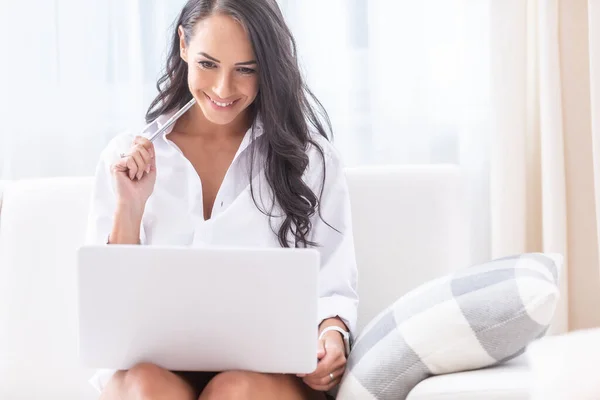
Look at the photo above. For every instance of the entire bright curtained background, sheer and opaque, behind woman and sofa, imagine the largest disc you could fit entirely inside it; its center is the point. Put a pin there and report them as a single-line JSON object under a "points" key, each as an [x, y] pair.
{"points": [[504, 88]]}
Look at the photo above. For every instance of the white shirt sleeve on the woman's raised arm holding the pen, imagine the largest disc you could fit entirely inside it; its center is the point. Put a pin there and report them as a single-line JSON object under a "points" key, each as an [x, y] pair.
{"points": [[103, 196]]}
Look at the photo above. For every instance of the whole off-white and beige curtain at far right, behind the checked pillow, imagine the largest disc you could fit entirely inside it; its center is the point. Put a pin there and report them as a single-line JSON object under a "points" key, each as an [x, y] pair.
{"points": [[545, 160]]}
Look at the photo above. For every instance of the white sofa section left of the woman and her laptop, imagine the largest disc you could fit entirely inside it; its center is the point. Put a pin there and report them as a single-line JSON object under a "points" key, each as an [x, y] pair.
{"points": [[43, 223]]}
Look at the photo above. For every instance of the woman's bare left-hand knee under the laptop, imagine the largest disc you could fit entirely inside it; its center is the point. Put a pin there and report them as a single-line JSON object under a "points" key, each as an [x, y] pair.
{"points": [[147, 382]]}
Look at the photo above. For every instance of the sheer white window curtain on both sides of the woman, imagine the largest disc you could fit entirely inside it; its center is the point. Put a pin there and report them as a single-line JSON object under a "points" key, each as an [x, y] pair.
{"points": [[404, 81]]}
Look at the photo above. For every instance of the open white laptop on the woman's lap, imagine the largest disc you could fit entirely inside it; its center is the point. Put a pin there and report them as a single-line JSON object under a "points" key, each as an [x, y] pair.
{"points": [[191, 309]]}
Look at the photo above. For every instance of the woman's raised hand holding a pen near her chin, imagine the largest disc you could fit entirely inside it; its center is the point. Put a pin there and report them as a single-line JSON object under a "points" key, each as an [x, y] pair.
{"points": [[135, 175]]}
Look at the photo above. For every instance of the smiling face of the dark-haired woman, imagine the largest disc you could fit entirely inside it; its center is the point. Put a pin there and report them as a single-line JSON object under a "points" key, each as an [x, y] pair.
{"points": [[222, 67]]}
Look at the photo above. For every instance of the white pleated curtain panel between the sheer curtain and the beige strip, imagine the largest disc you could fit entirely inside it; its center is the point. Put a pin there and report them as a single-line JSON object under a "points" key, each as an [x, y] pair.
{"points": [[527, 158]]}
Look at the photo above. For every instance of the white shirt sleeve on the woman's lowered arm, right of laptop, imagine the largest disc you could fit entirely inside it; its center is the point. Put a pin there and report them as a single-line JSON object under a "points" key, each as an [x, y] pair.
{"points": [[332, 231]]}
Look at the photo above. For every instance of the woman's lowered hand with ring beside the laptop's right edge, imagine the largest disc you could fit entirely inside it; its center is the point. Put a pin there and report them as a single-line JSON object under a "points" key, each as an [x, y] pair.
{"points": [[332, 363]]}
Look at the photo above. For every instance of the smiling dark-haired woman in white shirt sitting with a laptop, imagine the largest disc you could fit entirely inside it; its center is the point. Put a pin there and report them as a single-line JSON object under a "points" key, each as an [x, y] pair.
{"points": [[248, 165]]}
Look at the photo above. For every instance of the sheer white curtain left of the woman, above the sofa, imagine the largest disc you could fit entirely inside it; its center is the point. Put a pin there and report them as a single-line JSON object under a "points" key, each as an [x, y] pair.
{"points": [[74, 73]]}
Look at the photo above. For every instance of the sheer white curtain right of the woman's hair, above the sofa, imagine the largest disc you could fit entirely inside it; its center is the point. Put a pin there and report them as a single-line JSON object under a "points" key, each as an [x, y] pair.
{"points": [[405, 82]]}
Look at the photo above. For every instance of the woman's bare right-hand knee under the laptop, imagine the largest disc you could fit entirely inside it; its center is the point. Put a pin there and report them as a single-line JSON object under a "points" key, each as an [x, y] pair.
{"points": [[239, 385]]}
